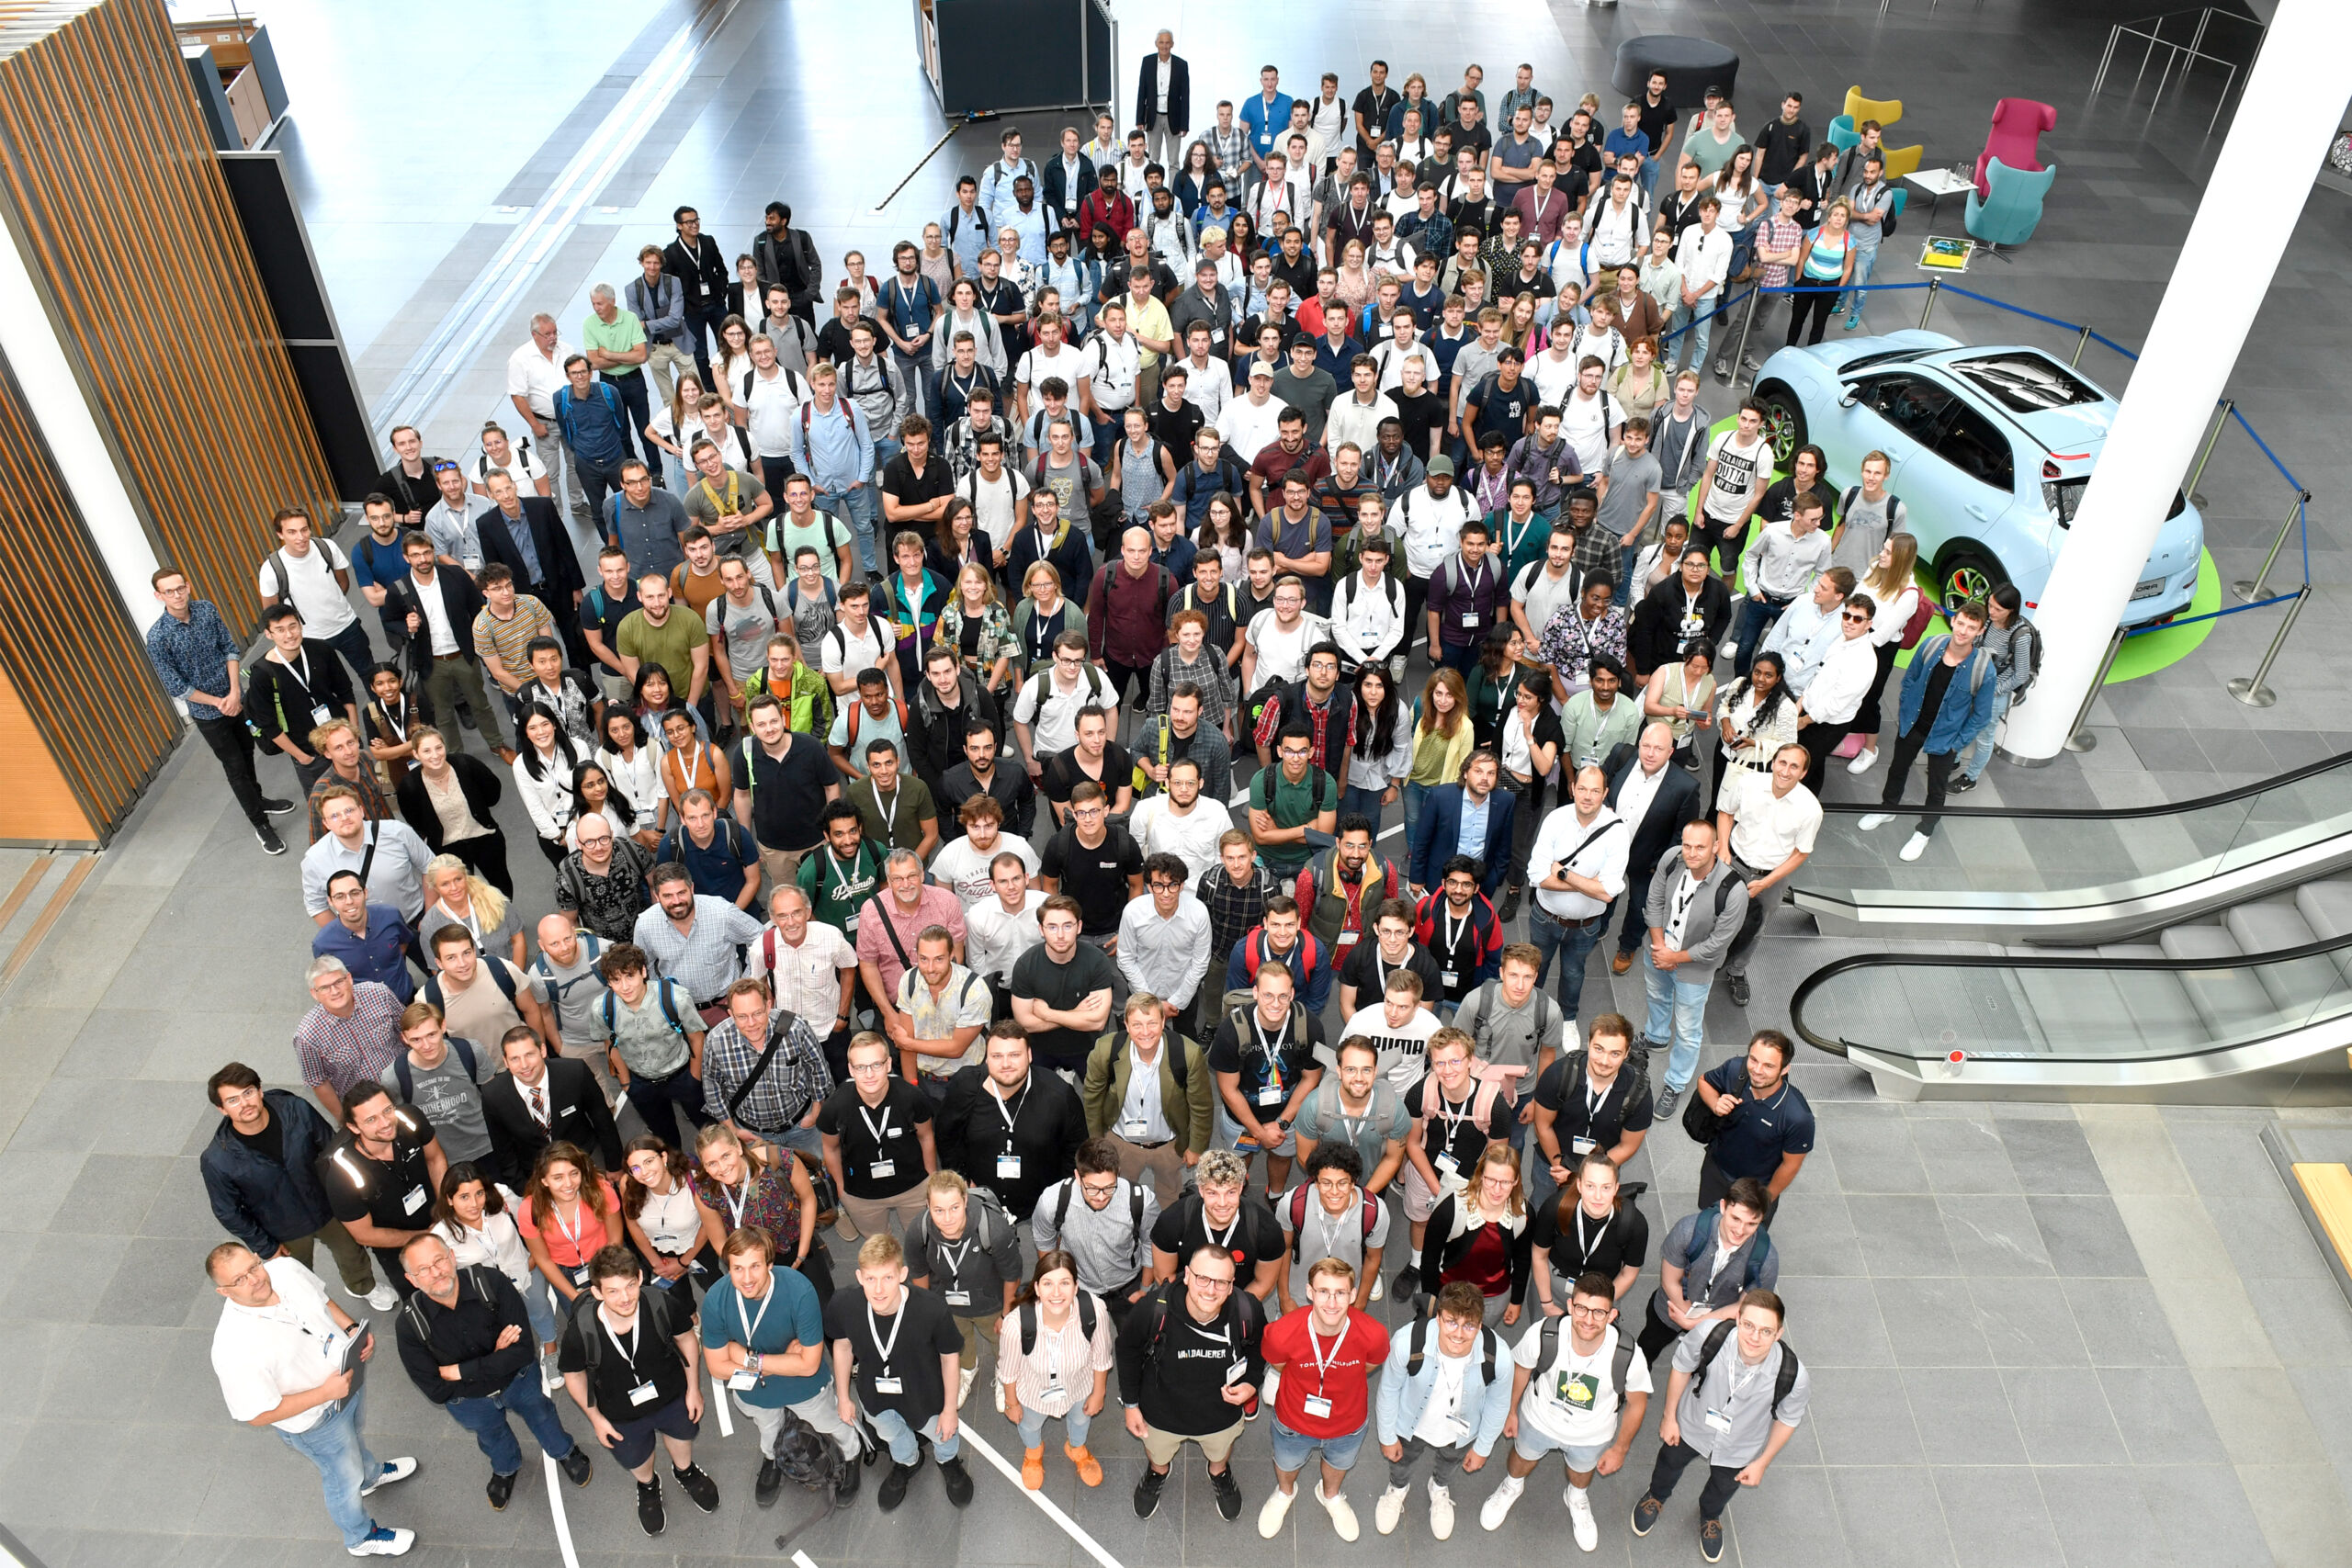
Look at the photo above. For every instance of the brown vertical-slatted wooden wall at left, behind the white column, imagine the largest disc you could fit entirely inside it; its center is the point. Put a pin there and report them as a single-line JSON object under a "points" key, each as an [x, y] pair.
{"points": [[131, 234]]}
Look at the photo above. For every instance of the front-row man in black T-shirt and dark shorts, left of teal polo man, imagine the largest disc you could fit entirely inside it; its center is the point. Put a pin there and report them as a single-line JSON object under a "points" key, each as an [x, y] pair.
{"points": [[629, 1362]]}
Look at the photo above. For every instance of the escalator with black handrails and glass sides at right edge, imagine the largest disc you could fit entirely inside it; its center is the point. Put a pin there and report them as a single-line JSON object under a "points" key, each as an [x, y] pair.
{"points": [[2196, 953]]}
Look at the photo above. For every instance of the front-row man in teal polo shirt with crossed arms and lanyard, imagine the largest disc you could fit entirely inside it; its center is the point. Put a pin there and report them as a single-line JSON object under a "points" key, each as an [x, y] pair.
{"points": [[766, 1339]]}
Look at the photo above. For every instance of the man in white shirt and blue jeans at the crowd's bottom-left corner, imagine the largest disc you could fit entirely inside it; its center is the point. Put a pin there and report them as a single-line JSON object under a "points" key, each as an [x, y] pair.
{"points": [[279, 1353]]}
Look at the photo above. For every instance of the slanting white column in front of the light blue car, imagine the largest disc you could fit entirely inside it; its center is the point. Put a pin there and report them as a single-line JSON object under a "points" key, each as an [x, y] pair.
{"points": [[2294, 100]]}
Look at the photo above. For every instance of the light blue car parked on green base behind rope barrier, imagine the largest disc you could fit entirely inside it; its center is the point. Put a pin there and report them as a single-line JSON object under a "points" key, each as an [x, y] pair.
{"points": [[1991, 455]]}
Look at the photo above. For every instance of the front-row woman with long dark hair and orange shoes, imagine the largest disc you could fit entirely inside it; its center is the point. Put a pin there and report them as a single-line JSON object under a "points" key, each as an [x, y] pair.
{"points": [[1045, 1369]]}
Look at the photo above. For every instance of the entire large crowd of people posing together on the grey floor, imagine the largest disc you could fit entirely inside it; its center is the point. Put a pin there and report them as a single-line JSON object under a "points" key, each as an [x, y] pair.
{"points": [[1031, 730]]}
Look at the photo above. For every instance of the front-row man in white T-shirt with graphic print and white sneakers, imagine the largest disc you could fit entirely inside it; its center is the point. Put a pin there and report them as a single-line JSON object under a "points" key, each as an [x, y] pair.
{"points": [[1582, 1393]]}
